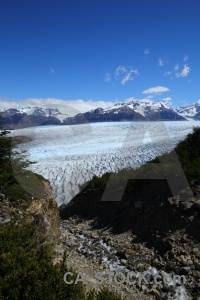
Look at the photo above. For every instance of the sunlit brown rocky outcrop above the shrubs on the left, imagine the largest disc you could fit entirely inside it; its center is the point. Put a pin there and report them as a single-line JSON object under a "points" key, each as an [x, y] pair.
{"points": [[42, 212]]}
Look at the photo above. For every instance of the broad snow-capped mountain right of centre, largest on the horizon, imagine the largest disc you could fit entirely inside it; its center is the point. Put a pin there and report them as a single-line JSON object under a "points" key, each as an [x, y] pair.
{"points": [[130, 111]]}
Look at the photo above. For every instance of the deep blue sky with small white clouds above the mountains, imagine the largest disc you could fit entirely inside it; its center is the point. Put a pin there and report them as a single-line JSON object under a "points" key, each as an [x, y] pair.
{"points": [[92, 53]]}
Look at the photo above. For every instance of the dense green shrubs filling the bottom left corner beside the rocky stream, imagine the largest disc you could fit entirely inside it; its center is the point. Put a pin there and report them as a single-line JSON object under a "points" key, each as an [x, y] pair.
{"points": [[27, 270]]}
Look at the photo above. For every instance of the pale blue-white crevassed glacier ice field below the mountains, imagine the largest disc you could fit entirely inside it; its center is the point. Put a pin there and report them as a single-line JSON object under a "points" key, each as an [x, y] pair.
{"points": [[68, 156]]}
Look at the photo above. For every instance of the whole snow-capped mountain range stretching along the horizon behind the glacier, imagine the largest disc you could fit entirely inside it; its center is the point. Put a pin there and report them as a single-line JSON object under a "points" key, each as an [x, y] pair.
{"points": [[13, 118]]}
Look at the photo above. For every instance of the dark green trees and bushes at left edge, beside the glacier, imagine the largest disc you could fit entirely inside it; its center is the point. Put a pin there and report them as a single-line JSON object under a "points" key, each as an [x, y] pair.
{"points": [[17, 183]]}
